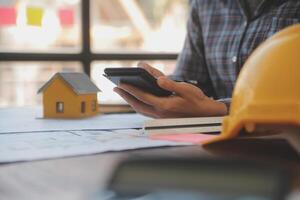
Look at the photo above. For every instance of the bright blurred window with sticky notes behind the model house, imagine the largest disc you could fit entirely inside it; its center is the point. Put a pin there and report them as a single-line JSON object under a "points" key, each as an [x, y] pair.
{"points": [[122, 32]]}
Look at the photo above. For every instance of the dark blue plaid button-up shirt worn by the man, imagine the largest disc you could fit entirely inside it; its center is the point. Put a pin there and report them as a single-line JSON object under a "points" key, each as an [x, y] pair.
{"points": [[223, 33]]}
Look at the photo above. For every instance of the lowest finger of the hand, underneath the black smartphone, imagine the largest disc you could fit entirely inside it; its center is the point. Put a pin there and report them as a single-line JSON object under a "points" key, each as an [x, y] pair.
{"points": [[137, 105]]}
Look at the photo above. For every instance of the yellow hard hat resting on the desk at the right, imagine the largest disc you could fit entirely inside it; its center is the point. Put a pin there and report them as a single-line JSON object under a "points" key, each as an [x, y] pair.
{"points": [[267, 91]]}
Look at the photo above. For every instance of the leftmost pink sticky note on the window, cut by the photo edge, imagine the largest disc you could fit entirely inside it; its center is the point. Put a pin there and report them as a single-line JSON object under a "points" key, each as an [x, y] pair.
{"points": [[8, 16]]}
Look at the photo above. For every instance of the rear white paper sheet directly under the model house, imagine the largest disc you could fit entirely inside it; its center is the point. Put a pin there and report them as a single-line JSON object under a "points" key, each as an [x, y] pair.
{"points": [[28, 119]]}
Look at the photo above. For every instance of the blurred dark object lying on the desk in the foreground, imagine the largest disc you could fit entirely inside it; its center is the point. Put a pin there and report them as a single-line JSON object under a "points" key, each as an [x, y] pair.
{"points": [[206, 178]]}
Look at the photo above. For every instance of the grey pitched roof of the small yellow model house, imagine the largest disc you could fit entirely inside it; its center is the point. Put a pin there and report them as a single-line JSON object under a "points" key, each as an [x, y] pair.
{"points": [[79, 82]]}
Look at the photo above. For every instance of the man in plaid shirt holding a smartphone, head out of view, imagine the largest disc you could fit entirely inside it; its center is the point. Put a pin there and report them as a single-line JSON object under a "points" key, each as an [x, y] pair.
{"points": [[220, 37]]}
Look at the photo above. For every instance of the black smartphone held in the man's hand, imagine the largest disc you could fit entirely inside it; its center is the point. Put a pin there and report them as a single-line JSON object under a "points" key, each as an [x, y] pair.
{"points": [[137, 77]]}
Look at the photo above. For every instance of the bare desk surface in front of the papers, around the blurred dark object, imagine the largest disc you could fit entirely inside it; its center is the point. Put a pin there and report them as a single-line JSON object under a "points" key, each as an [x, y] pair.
{"points": [[80, 177]]}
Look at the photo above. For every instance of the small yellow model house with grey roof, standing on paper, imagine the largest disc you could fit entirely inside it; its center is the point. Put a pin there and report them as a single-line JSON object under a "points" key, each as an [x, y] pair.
{"points": [[69, 95]]}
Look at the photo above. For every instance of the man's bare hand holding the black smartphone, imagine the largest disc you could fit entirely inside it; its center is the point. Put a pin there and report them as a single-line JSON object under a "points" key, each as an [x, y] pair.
{"points": [[187, 100]]}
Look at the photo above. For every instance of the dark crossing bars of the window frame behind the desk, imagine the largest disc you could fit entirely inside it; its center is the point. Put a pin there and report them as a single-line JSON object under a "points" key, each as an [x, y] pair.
{"points": [[86, 56]]}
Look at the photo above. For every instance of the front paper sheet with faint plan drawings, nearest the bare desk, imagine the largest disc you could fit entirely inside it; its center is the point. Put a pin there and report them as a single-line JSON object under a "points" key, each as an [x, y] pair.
{"points": [[46, 145]]}
